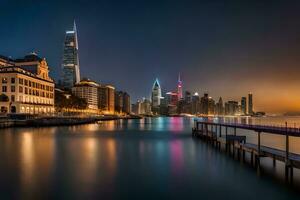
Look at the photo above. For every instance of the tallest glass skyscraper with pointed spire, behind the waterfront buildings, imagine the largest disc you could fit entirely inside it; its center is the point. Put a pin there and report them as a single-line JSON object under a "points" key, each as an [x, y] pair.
{"points": [[70, 63]]}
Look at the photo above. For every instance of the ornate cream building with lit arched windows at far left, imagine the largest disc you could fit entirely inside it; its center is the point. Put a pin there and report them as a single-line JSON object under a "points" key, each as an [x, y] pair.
{"points": [[25, 86]]}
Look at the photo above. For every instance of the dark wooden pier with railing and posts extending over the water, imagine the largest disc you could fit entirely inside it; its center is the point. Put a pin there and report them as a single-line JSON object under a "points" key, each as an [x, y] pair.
{"points": [[237, 144]]}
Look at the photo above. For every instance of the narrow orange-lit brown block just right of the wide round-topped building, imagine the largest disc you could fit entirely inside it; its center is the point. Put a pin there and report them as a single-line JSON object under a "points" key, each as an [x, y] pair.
{"points": [[106, 99]]}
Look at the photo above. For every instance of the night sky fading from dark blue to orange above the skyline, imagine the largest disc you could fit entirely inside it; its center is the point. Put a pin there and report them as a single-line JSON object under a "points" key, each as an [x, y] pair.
{"points": [[226, 48]]}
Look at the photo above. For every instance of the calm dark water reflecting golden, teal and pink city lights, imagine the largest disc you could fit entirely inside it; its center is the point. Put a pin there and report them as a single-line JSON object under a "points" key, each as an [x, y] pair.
{"points": [[131, 159]]}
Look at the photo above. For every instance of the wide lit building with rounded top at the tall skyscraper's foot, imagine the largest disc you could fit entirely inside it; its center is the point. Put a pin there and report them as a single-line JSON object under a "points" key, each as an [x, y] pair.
{"points": [[87, 90]]}
